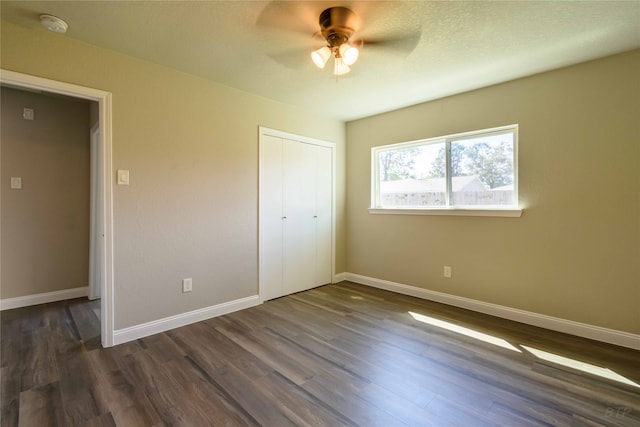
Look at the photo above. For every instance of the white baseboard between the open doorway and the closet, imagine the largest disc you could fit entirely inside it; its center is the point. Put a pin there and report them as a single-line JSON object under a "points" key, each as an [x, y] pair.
{"points": [[131, 333]]}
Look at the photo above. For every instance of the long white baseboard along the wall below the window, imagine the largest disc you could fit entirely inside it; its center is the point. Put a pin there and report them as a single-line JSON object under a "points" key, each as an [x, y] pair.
{"points": [[611, 336]]}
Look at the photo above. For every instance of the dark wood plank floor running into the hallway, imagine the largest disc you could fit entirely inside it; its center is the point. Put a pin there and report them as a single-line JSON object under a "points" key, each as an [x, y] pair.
{"points": [[337, 355]]}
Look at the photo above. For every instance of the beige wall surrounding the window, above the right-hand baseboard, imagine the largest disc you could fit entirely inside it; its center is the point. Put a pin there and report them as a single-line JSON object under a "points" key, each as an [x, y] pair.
{"points": [[575, 252]]}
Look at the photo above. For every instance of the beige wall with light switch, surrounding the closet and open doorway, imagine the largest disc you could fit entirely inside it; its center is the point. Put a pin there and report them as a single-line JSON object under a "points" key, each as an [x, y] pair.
{"points": [[191, 146]]}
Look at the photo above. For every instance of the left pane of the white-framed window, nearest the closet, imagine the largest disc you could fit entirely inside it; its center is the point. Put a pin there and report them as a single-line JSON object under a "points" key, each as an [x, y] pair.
{"points": [[412, 176]]}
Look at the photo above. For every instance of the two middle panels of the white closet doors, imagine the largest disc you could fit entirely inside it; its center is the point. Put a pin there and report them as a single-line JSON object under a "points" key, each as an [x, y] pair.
{"points": [[299, 249]]}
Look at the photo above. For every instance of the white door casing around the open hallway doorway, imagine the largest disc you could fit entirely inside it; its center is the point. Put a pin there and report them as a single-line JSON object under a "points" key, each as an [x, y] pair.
{"points": [[103, 98]]}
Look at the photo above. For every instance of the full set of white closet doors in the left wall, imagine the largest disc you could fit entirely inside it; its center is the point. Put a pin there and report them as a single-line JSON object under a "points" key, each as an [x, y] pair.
{"points": [[296, 214]]}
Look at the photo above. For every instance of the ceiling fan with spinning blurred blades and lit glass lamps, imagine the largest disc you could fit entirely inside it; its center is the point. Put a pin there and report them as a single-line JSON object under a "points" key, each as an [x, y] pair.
{"points": [[339, 28]]}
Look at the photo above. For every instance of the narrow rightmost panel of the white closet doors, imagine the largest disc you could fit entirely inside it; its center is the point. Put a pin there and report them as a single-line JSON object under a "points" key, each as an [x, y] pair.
{"points": [[324, 215]]}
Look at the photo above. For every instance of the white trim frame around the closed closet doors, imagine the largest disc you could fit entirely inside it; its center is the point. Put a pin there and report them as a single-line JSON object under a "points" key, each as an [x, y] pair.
{"points": [[262, 133]]}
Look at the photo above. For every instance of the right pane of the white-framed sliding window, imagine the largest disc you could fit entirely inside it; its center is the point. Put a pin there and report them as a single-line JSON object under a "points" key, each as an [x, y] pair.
{"points": [[482, 170]]}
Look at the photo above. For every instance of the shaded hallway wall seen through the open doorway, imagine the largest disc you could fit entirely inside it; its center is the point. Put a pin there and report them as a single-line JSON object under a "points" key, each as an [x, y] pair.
{"points": [[45, 225]]}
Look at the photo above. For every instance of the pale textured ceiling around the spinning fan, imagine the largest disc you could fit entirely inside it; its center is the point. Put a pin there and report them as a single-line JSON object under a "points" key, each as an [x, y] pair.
{"points": [[263, 47]]}
